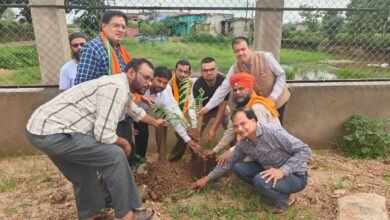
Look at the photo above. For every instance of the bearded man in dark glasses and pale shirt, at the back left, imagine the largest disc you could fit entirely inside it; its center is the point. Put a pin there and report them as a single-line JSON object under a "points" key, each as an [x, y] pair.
{"points": [[68, 71]]}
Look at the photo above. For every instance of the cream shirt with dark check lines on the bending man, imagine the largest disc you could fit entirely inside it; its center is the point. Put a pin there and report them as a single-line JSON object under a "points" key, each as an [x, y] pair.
{"points": [[93, 108]]}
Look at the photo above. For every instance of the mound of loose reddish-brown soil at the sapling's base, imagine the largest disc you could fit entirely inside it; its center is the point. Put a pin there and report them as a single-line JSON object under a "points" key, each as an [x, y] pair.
{"points": [[160, 179]]}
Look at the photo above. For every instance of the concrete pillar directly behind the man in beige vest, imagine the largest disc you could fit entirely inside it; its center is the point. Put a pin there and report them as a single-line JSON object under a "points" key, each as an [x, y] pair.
{"points": [[268, 27]]}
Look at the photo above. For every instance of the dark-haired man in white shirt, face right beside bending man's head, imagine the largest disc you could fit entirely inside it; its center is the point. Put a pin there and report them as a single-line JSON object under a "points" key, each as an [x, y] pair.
{"points": [[161, 94]]}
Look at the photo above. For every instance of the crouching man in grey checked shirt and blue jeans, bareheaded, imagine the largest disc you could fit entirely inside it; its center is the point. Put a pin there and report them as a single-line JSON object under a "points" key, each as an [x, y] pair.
{"points": [[279, 168]]}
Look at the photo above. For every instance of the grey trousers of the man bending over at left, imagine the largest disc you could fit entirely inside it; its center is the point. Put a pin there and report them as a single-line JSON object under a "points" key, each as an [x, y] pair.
{"points": [[79, 157]]}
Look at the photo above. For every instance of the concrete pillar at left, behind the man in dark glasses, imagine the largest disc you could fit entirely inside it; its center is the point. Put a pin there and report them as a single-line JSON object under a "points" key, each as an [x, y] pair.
{"points": [[51, 37]]}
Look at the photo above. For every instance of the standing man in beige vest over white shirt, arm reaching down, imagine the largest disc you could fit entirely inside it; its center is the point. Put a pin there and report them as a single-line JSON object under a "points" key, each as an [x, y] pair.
{"points": [[270, 79]]}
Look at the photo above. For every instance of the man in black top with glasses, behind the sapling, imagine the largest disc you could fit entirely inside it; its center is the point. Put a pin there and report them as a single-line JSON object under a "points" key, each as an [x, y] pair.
{"points": [[209, 81]]}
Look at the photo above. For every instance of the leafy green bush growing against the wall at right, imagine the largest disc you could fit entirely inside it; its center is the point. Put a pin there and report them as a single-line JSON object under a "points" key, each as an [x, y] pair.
{"points": [[367, 139]]}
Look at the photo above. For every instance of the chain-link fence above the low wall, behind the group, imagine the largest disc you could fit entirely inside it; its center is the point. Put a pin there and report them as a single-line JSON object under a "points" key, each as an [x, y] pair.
{"points": [[321, 40]]}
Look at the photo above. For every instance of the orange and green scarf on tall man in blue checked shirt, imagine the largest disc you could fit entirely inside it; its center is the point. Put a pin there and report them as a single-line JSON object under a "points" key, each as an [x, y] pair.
{"points": [[113, 62]]}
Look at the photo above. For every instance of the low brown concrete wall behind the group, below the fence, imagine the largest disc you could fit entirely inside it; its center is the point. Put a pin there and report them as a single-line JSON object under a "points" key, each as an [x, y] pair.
{"points": [[315, 113]]}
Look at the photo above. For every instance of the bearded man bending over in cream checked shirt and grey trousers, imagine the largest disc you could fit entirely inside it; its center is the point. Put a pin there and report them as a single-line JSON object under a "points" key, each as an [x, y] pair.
{"points": [[77, 130]]}
